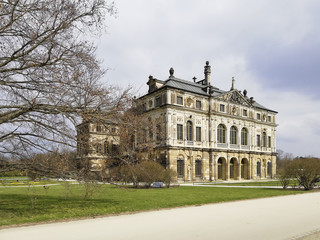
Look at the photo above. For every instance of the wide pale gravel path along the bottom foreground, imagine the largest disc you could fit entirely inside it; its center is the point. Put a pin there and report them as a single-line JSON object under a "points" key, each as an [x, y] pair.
{"points": [[288, 217]]}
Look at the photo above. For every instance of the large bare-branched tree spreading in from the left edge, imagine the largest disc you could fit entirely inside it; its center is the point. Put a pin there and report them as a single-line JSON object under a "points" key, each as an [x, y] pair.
{"points": [[49, 74]]}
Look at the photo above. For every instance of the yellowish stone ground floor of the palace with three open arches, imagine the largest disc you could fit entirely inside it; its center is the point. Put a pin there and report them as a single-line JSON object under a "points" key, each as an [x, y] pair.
{"points": [[200, 165]]}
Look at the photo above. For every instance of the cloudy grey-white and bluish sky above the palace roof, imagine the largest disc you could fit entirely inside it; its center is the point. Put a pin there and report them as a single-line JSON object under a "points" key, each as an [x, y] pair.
{"points": [[271, 47]]}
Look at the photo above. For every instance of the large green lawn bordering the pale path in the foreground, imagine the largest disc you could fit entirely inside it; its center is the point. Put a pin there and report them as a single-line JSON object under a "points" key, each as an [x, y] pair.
{"points": [[20, 205]]}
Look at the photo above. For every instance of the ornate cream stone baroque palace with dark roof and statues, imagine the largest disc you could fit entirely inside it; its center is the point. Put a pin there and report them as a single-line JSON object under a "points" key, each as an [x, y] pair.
{"points": [[204, 133]]}
